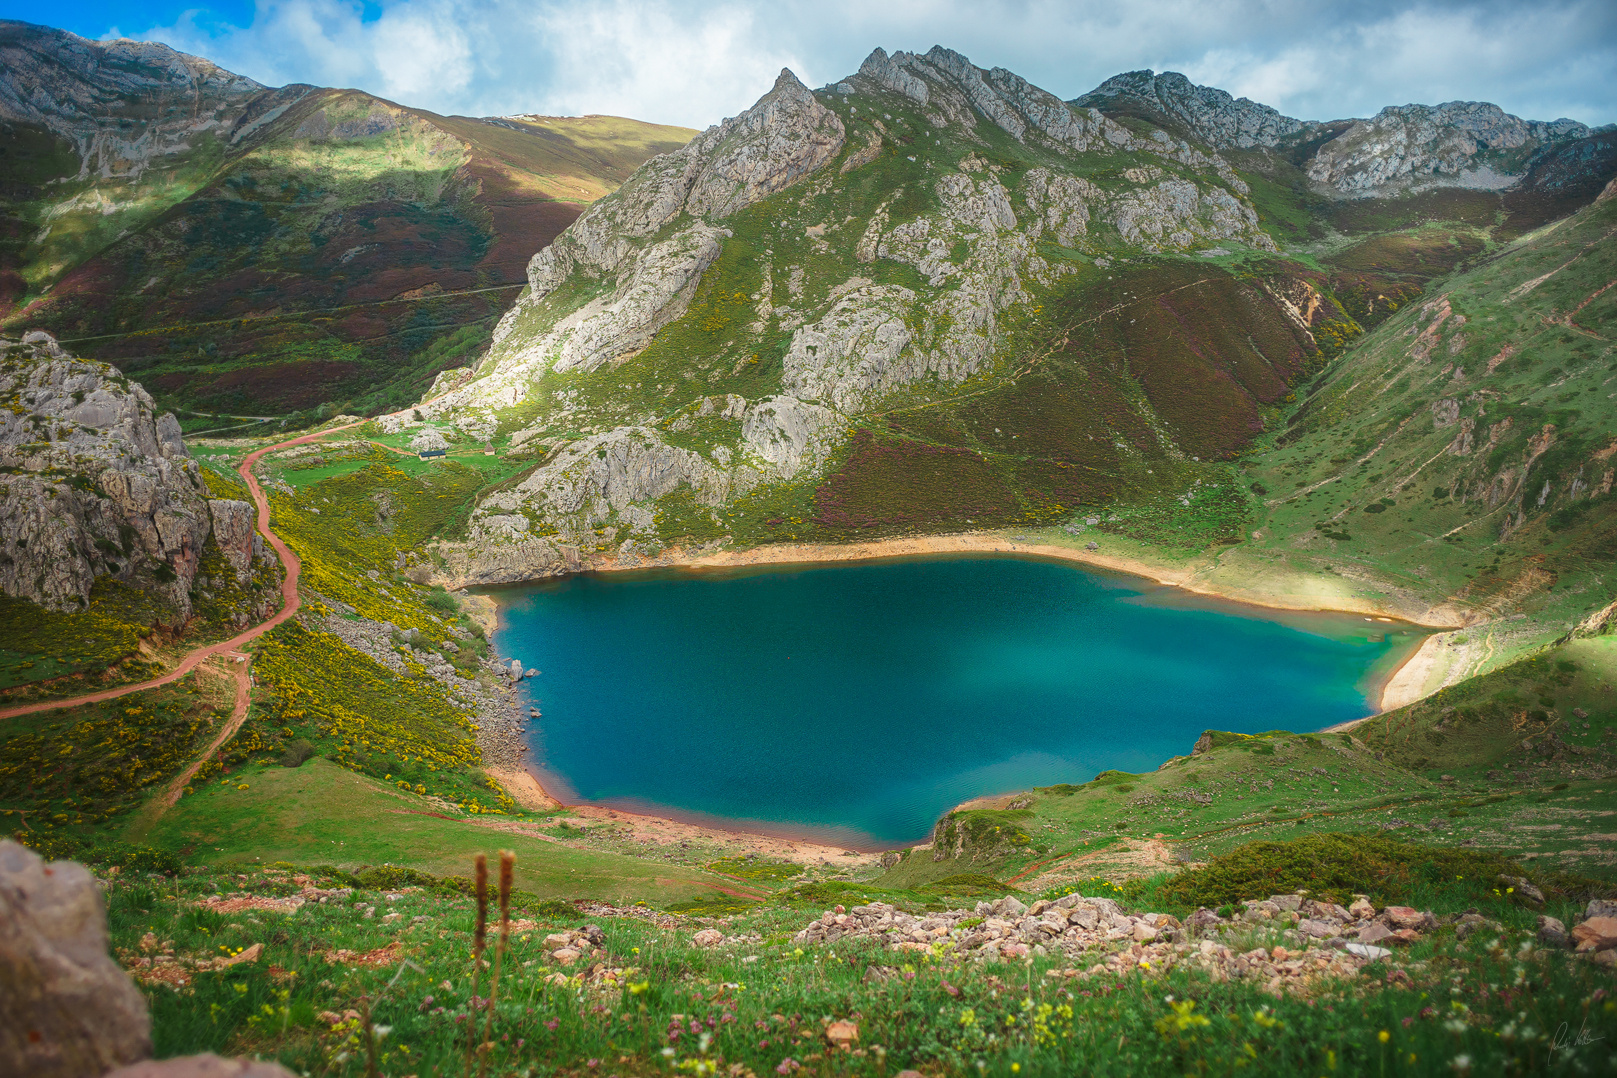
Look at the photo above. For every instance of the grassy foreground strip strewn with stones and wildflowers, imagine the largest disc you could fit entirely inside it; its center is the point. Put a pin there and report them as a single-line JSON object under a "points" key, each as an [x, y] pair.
{"points": [[374, 974]]}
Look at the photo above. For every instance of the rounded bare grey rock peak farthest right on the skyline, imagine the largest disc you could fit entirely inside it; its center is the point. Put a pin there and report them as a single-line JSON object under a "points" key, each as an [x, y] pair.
{"points": [[1411, 148]]}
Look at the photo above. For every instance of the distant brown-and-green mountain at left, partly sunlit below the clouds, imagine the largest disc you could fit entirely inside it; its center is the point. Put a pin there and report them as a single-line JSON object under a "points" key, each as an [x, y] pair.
{"points": [[272, 250]]}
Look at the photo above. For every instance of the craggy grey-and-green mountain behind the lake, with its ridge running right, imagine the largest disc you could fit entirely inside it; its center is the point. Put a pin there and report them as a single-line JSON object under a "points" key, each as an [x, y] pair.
{"points": [[937, 298]]}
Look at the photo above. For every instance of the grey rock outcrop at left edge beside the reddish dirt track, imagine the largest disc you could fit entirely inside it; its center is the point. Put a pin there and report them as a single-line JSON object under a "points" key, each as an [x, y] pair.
{"points": [[95, 482]]}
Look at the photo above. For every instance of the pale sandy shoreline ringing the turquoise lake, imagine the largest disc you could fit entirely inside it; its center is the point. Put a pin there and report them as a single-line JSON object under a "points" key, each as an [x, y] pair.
{"points": [[526, 788]]}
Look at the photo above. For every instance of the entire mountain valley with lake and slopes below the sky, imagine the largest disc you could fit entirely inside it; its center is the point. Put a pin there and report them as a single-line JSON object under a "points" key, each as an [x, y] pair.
{"points": [[315, 398]]}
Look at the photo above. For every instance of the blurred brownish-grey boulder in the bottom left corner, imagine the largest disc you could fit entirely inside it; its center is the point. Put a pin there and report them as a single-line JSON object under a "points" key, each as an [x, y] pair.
{"points": [[67, 1009]]}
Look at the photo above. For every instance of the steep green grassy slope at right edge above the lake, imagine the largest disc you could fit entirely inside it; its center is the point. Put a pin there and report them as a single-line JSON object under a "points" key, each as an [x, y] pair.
{"points": [[1464, 450]]}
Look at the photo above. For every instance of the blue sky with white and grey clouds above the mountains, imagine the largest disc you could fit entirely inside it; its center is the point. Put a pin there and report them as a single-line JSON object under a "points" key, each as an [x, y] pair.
{"points": [[696, 64]]}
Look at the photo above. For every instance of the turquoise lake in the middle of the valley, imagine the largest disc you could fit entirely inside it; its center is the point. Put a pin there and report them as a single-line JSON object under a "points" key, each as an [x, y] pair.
{"points": [[859, 702]]}
